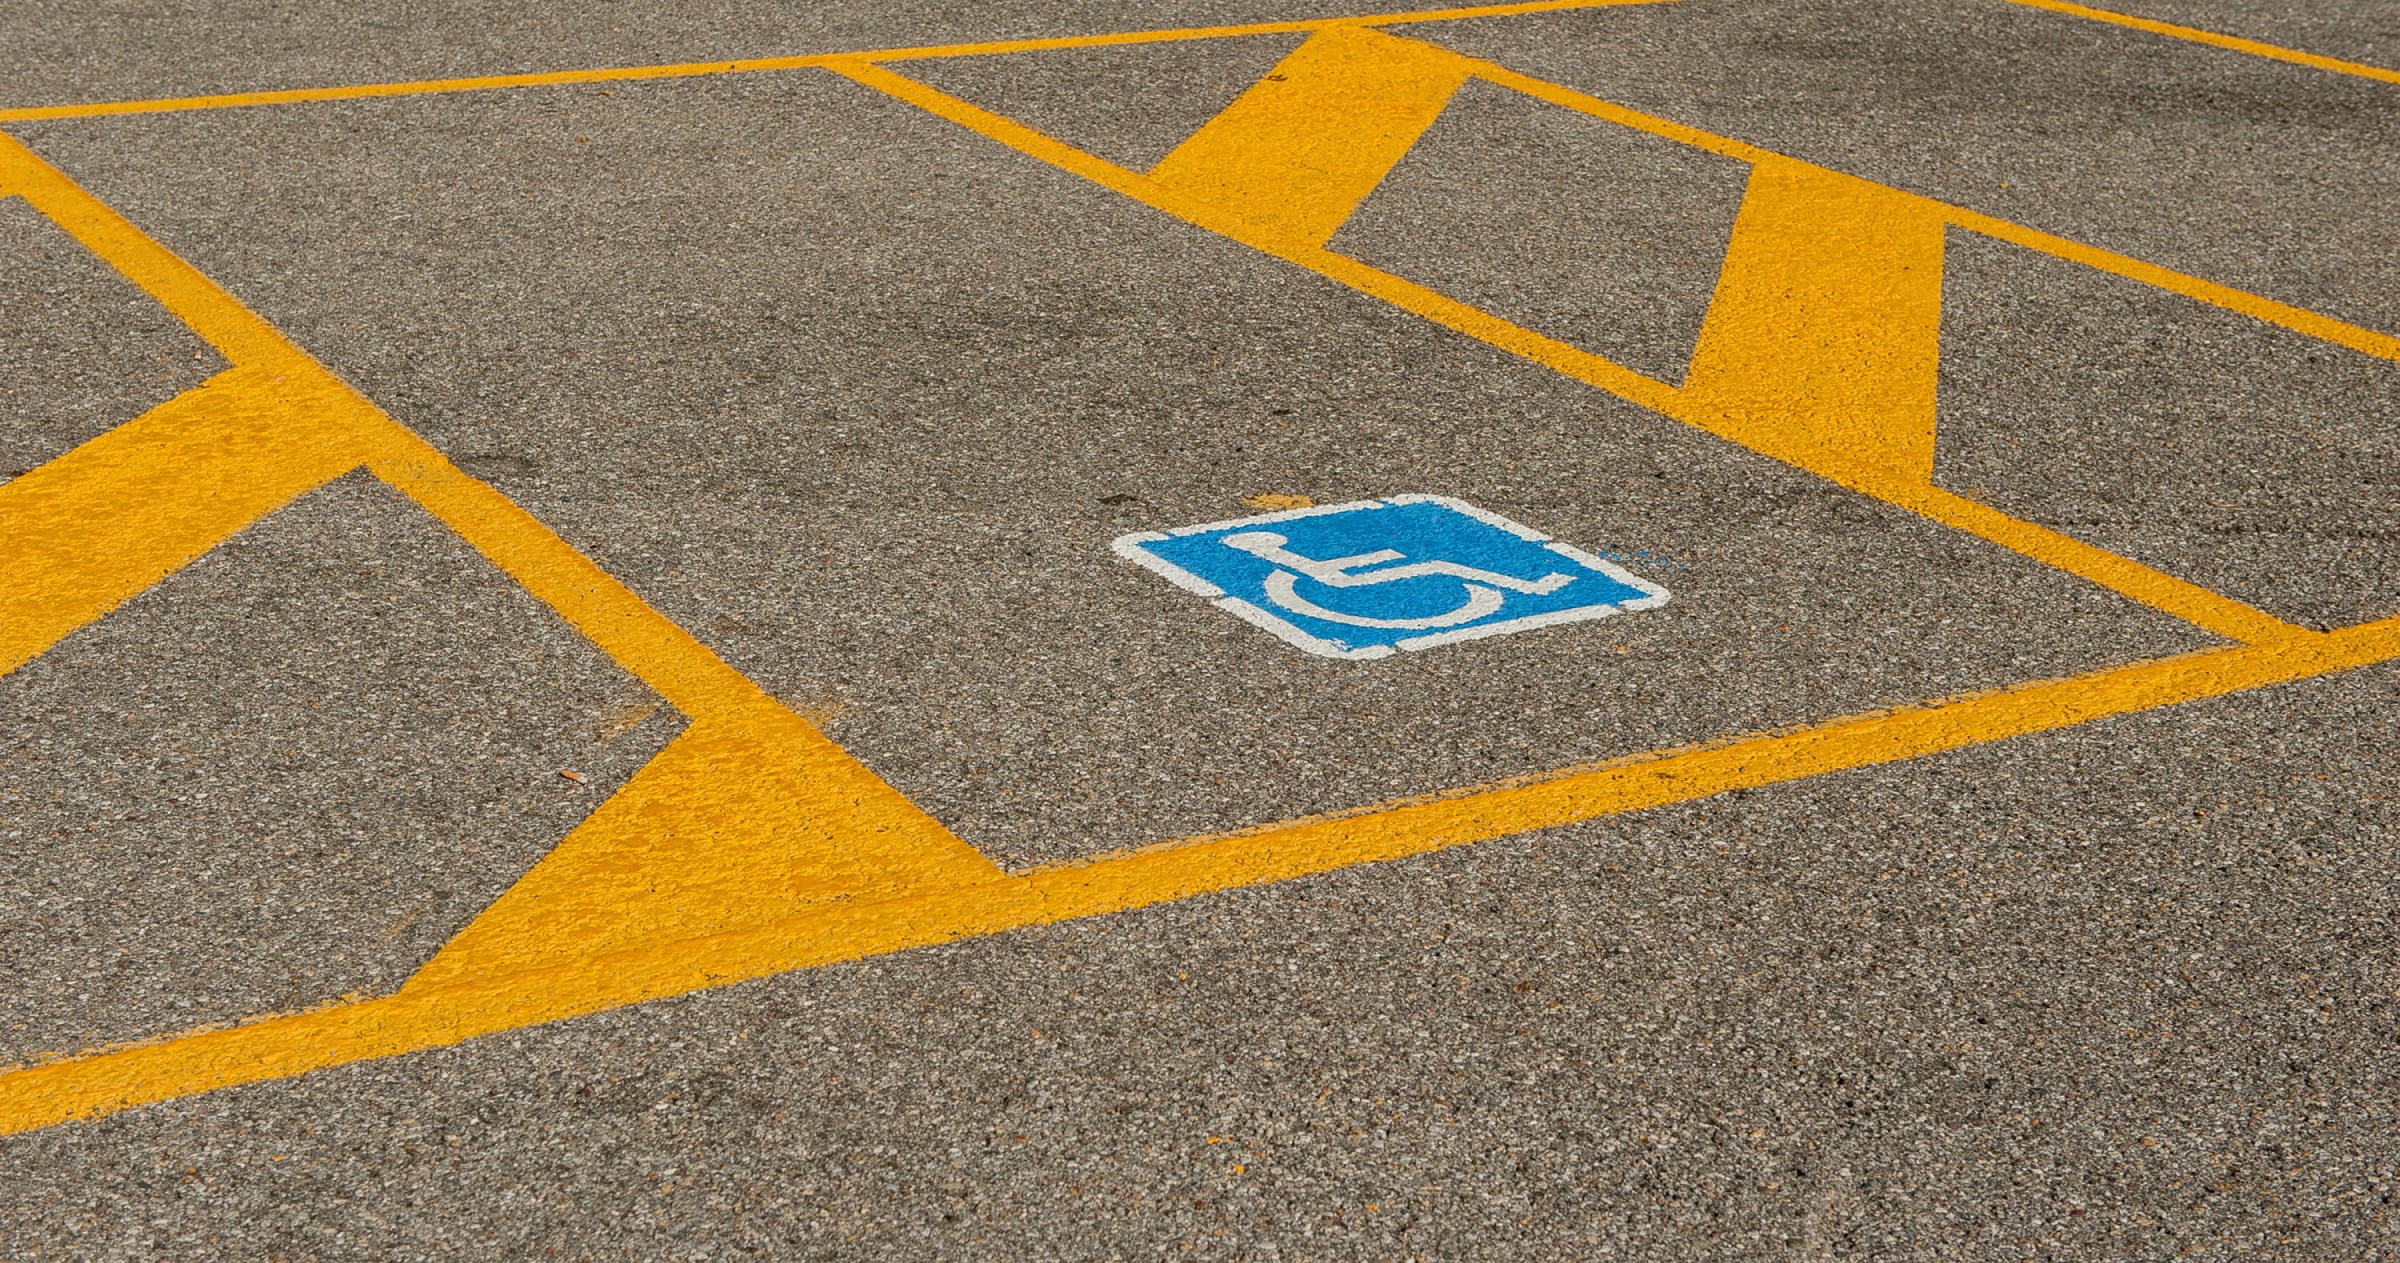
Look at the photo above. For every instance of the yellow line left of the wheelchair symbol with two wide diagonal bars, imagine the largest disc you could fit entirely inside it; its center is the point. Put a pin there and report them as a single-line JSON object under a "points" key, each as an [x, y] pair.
{"points": [[750, 818]]}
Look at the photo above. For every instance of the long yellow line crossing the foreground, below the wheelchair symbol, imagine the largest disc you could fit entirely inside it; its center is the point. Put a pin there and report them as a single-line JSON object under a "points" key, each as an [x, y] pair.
{"points": [[433, 1017]]}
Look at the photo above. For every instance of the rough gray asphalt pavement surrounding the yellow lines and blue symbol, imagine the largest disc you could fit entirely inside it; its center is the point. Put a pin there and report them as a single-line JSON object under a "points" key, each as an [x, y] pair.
{"points": [[860, 400]]}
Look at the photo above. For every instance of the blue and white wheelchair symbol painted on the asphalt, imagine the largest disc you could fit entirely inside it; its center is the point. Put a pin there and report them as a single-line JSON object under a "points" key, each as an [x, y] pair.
{"points": [[1381, 575]]}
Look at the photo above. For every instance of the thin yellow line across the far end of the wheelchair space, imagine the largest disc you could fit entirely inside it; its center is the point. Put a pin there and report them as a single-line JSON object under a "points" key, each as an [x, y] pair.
{"points": [[748, 66]]}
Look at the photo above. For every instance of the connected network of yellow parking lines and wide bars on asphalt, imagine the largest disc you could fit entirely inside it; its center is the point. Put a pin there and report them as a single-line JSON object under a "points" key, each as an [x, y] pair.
{"points": [[752, 844]]}
